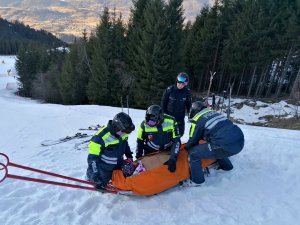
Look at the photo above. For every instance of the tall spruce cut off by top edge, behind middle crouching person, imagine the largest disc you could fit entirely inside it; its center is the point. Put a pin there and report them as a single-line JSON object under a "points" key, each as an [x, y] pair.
{"points": [[154, 54]]}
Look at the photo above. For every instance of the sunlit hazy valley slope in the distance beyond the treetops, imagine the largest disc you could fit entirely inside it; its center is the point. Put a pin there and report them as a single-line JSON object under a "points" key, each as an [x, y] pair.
{"points": [[67, 18]]}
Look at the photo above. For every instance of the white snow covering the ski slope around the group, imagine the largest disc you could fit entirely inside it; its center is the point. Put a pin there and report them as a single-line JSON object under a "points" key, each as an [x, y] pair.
{"points": [[263, 188]]}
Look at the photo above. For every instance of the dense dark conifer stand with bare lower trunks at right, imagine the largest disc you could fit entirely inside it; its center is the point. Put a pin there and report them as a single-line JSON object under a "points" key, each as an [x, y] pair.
{"points": [[252, 44]]}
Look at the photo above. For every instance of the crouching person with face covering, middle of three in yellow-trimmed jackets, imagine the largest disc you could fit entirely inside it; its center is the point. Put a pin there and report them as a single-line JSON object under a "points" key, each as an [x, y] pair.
{"points": [[159, 132]]}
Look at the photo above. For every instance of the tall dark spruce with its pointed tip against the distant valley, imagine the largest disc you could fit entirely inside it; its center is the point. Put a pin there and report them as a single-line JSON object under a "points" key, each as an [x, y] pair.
{"points": [[107, 52]]}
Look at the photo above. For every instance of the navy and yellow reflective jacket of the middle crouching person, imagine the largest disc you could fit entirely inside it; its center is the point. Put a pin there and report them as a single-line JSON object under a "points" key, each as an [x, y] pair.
{"points": [[158, 138]]}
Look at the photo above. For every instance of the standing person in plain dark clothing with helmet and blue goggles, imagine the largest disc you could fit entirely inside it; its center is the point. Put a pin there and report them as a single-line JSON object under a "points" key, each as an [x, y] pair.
{"points": [[177, 99]]}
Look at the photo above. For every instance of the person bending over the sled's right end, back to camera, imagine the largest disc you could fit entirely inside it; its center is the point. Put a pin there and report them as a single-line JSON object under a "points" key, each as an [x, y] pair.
{"points": [[223, 139]]}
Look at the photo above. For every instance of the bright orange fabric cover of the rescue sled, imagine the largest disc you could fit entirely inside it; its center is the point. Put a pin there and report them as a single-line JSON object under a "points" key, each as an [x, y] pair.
{"points": [[157, 179]]}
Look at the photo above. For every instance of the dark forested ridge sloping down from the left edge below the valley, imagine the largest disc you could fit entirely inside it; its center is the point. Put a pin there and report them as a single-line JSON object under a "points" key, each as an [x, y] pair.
{"points": [[14, 34]]}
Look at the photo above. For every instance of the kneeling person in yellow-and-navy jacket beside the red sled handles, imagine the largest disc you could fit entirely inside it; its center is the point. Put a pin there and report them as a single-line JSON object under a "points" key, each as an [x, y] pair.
{"points": [[107, 148]]}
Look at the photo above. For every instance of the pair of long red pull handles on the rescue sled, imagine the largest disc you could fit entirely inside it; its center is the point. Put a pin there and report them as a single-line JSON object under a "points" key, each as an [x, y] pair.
{"points": [[12, 176]]}
